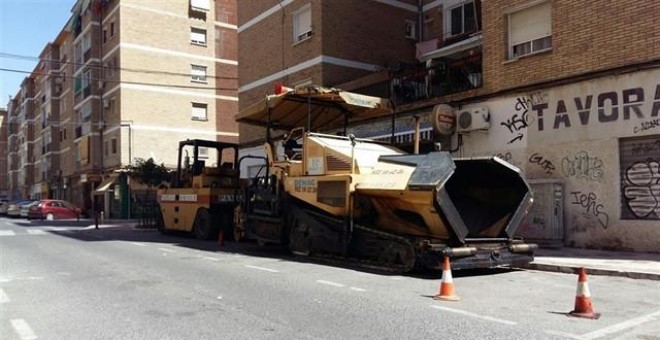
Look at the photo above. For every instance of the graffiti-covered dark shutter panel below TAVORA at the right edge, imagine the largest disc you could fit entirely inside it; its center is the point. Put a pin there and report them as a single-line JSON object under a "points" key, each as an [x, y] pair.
{"points": [[640, 178]]}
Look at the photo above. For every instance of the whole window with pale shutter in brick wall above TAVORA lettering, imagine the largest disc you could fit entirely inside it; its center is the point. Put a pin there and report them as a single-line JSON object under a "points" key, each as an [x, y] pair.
{"points": [[530, 30]]}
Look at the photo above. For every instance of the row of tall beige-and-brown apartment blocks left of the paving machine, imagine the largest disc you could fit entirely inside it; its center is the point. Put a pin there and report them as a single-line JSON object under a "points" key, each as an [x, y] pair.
{"points": [[125, 80]]}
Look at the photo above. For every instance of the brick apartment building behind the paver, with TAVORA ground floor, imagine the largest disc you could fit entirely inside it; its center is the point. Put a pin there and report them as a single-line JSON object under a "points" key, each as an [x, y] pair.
{"points": [[566, 91]]}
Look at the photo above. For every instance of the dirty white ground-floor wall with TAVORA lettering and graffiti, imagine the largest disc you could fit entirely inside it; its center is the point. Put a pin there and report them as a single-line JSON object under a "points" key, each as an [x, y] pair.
{"points": [[574, 133]]}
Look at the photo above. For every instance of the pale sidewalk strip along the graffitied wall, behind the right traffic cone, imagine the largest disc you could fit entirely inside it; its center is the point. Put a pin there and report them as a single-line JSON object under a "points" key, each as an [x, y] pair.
{"points": [[598, 262]]}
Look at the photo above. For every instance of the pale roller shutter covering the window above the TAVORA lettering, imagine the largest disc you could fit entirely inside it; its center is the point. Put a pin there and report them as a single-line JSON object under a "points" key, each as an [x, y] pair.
{"points": [[529, 24]]}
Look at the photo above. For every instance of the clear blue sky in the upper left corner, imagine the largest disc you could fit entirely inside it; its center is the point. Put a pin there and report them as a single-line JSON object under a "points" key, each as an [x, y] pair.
{"points": [[26, 26]]}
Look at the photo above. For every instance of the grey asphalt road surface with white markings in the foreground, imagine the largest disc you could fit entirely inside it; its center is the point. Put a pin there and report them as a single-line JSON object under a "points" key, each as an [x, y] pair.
{"points": [[61, 281]]}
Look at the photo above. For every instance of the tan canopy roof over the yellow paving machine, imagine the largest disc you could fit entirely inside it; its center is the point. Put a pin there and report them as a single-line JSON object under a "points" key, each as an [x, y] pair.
{"points": [[326, 108]]}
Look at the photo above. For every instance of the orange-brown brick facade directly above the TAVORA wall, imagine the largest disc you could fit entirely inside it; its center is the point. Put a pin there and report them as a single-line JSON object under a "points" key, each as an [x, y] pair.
{"points": [[586, 37]]}
